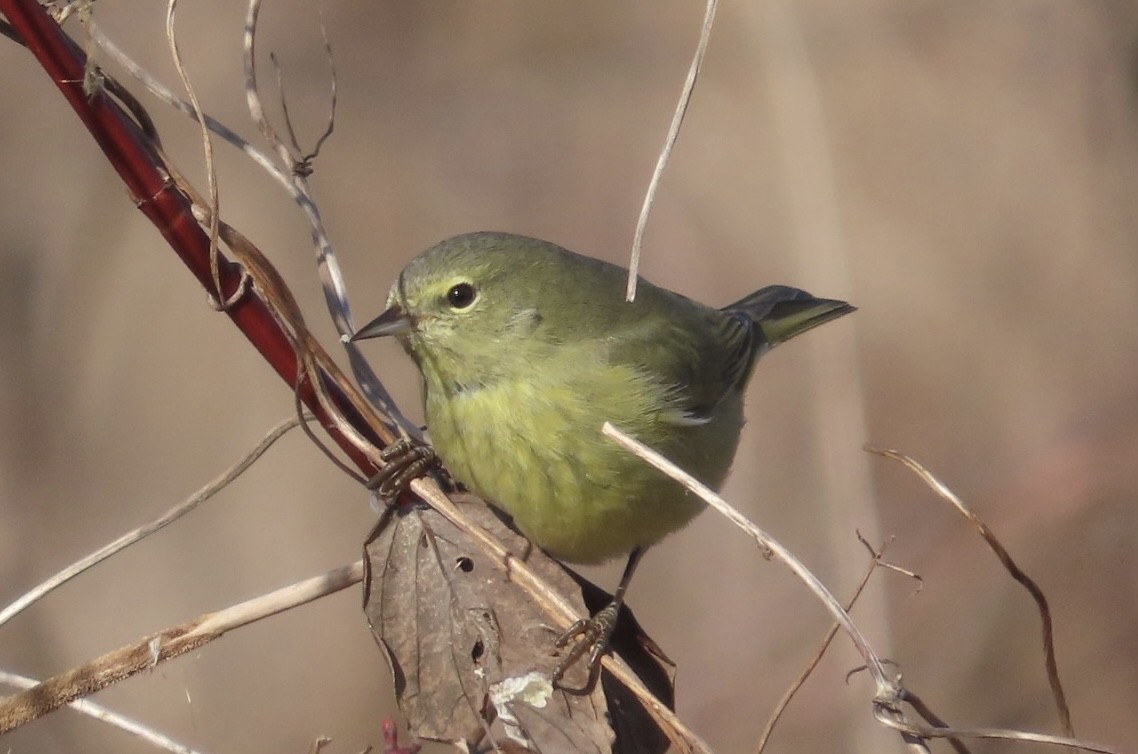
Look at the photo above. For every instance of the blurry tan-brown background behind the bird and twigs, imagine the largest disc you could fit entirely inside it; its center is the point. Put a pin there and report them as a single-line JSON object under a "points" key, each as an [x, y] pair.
{"points": [[964, 172]]}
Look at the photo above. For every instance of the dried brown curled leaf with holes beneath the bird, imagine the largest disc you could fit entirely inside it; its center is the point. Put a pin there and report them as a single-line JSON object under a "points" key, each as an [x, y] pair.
{"points": [[472, 653]]}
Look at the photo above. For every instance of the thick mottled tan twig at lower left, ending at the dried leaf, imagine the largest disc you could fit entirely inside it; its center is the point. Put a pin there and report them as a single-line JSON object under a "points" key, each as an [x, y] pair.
{"points": [[151, 651]]}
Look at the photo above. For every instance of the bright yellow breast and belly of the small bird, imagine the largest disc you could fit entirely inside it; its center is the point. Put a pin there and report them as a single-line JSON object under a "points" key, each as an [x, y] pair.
{"points": [[537, 452]]}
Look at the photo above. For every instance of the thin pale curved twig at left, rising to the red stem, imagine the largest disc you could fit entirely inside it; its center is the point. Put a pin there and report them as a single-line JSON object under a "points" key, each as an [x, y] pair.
{"points": [[144, 532]]}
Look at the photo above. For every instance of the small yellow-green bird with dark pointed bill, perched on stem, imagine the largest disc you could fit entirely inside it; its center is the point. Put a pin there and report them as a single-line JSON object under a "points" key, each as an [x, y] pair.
{"points": [[526, 350]]}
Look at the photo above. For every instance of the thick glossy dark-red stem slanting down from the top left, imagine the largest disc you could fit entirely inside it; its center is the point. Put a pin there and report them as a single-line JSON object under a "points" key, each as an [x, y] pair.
{"points": [[168, 209]]}
